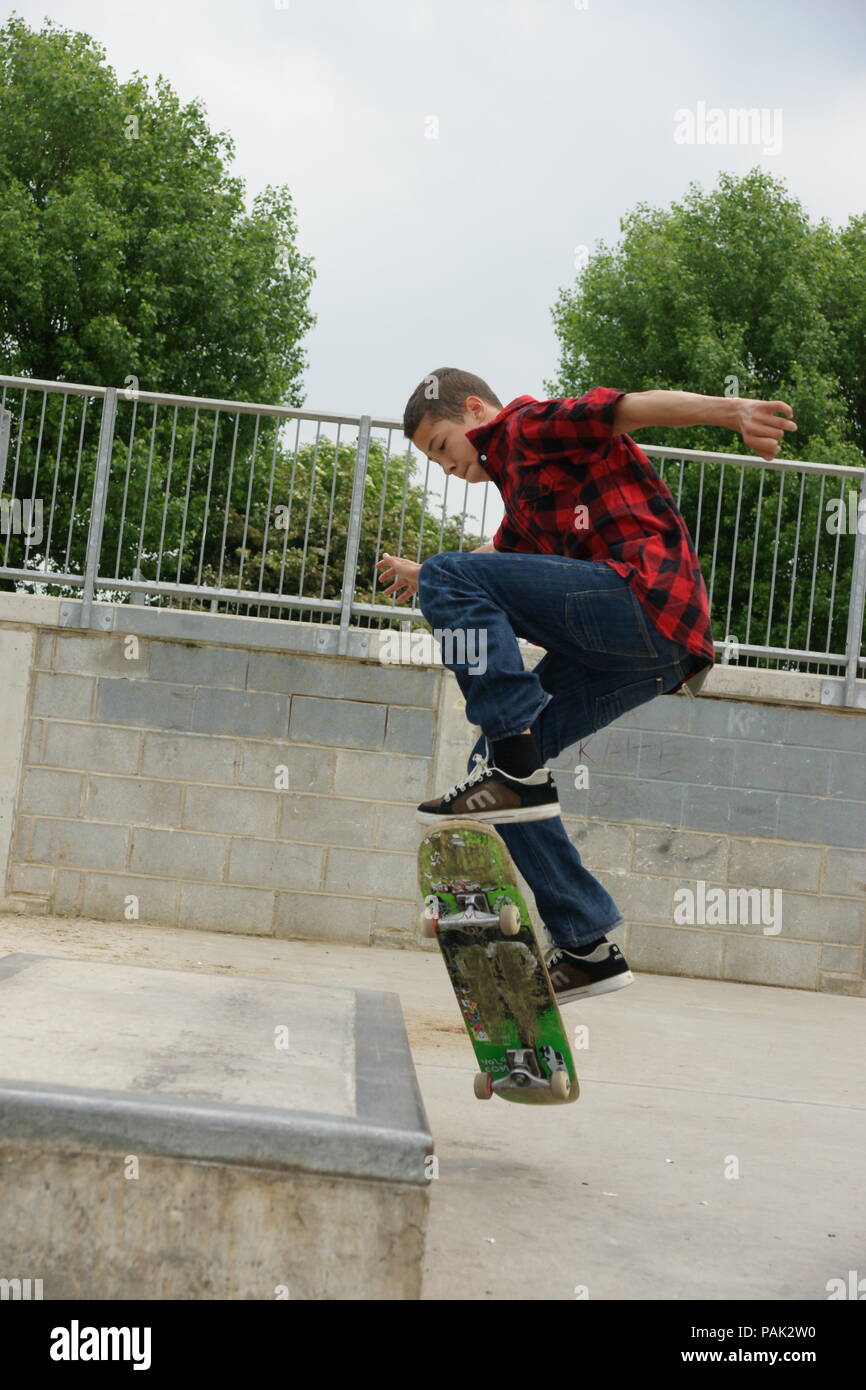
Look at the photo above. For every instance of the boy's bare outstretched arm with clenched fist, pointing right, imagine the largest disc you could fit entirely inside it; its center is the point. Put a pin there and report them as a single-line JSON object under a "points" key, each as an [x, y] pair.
{"points": [[758, 422]]}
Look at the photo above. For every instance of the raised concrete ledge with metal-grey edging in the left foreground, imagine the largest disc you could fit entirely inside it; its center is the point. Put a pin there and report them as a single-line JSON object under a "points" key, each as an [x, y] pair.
{"points": [[283, 1121]]}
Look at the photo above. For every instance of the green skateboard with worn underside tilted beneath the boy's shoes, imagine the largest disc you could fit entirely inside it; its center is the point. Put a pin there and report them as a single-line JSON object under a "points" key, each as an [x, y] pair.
{"points": [[475, 910]]}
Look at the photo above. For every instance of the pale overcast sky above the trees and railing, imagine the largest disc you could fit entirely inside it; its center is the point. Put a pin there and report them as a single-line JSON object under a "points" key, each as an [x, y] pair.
{"points": [[448, 159]]}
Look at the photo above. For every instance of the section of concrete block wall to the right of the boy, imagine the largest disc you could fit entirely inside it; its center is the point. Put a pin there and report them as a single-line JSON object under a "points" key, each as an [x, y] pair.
{"points": [[739, 797]]}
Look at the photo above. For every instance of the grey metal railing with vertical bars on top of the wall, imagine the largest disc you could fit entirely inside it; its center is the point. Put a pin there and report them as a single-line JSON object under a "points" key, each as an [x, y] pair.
{"points": [[222, 505]]}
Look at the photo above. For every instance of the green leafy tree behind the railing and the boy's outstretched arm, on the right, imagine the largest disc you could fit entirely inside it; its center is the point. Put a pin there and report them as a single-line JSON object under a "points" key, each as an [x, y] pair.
{"points": [[735, 293]]}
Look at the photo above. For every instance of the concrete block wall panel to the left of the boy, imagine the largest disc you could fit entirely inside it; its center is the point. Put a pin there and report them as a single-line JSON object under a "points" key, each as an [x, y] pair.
{"points": [[263, 793]]}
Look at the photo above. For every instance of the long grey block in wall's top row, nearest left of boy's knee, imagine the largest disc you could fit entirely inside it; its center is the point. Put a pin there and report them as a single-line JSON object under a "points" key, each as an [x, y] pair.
{"points": [[344, 678]]}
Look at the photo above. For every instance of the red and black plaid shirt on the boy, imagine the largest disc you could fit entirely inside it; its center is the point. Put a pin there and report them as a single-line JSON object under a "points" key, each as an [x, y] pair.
{"points": [[550, 458]]}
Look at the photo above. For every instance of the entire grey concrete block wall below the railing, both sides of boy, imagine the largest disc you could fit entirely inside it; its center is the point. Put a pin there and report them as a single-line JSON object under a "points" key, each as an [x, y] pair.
{"points": [[216, 785]]}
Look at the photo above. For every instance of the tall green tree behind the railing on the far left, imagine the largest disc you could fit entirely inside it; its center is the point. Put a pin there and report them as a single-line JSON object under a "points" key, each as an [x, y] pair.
{"points": [[130, 258]]}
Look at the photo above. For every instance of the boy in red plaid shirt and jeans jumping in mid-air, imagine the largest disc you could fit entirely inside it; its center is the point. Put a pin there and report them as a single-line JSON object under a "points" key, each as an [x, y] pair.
{"points": [[596, 565]]}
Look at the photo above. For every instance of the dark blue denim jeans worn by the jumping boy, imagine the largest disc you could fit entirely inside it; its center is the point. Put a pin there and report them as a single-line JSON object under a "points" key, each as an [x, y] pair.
{"points": [[604, 658]]}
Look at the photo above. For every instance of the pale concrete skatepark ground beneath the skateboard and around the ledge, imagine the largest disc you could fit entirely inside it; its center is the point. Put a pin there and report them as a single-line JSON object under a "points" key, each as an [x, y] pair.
{"points": [[717, 1150]]}
